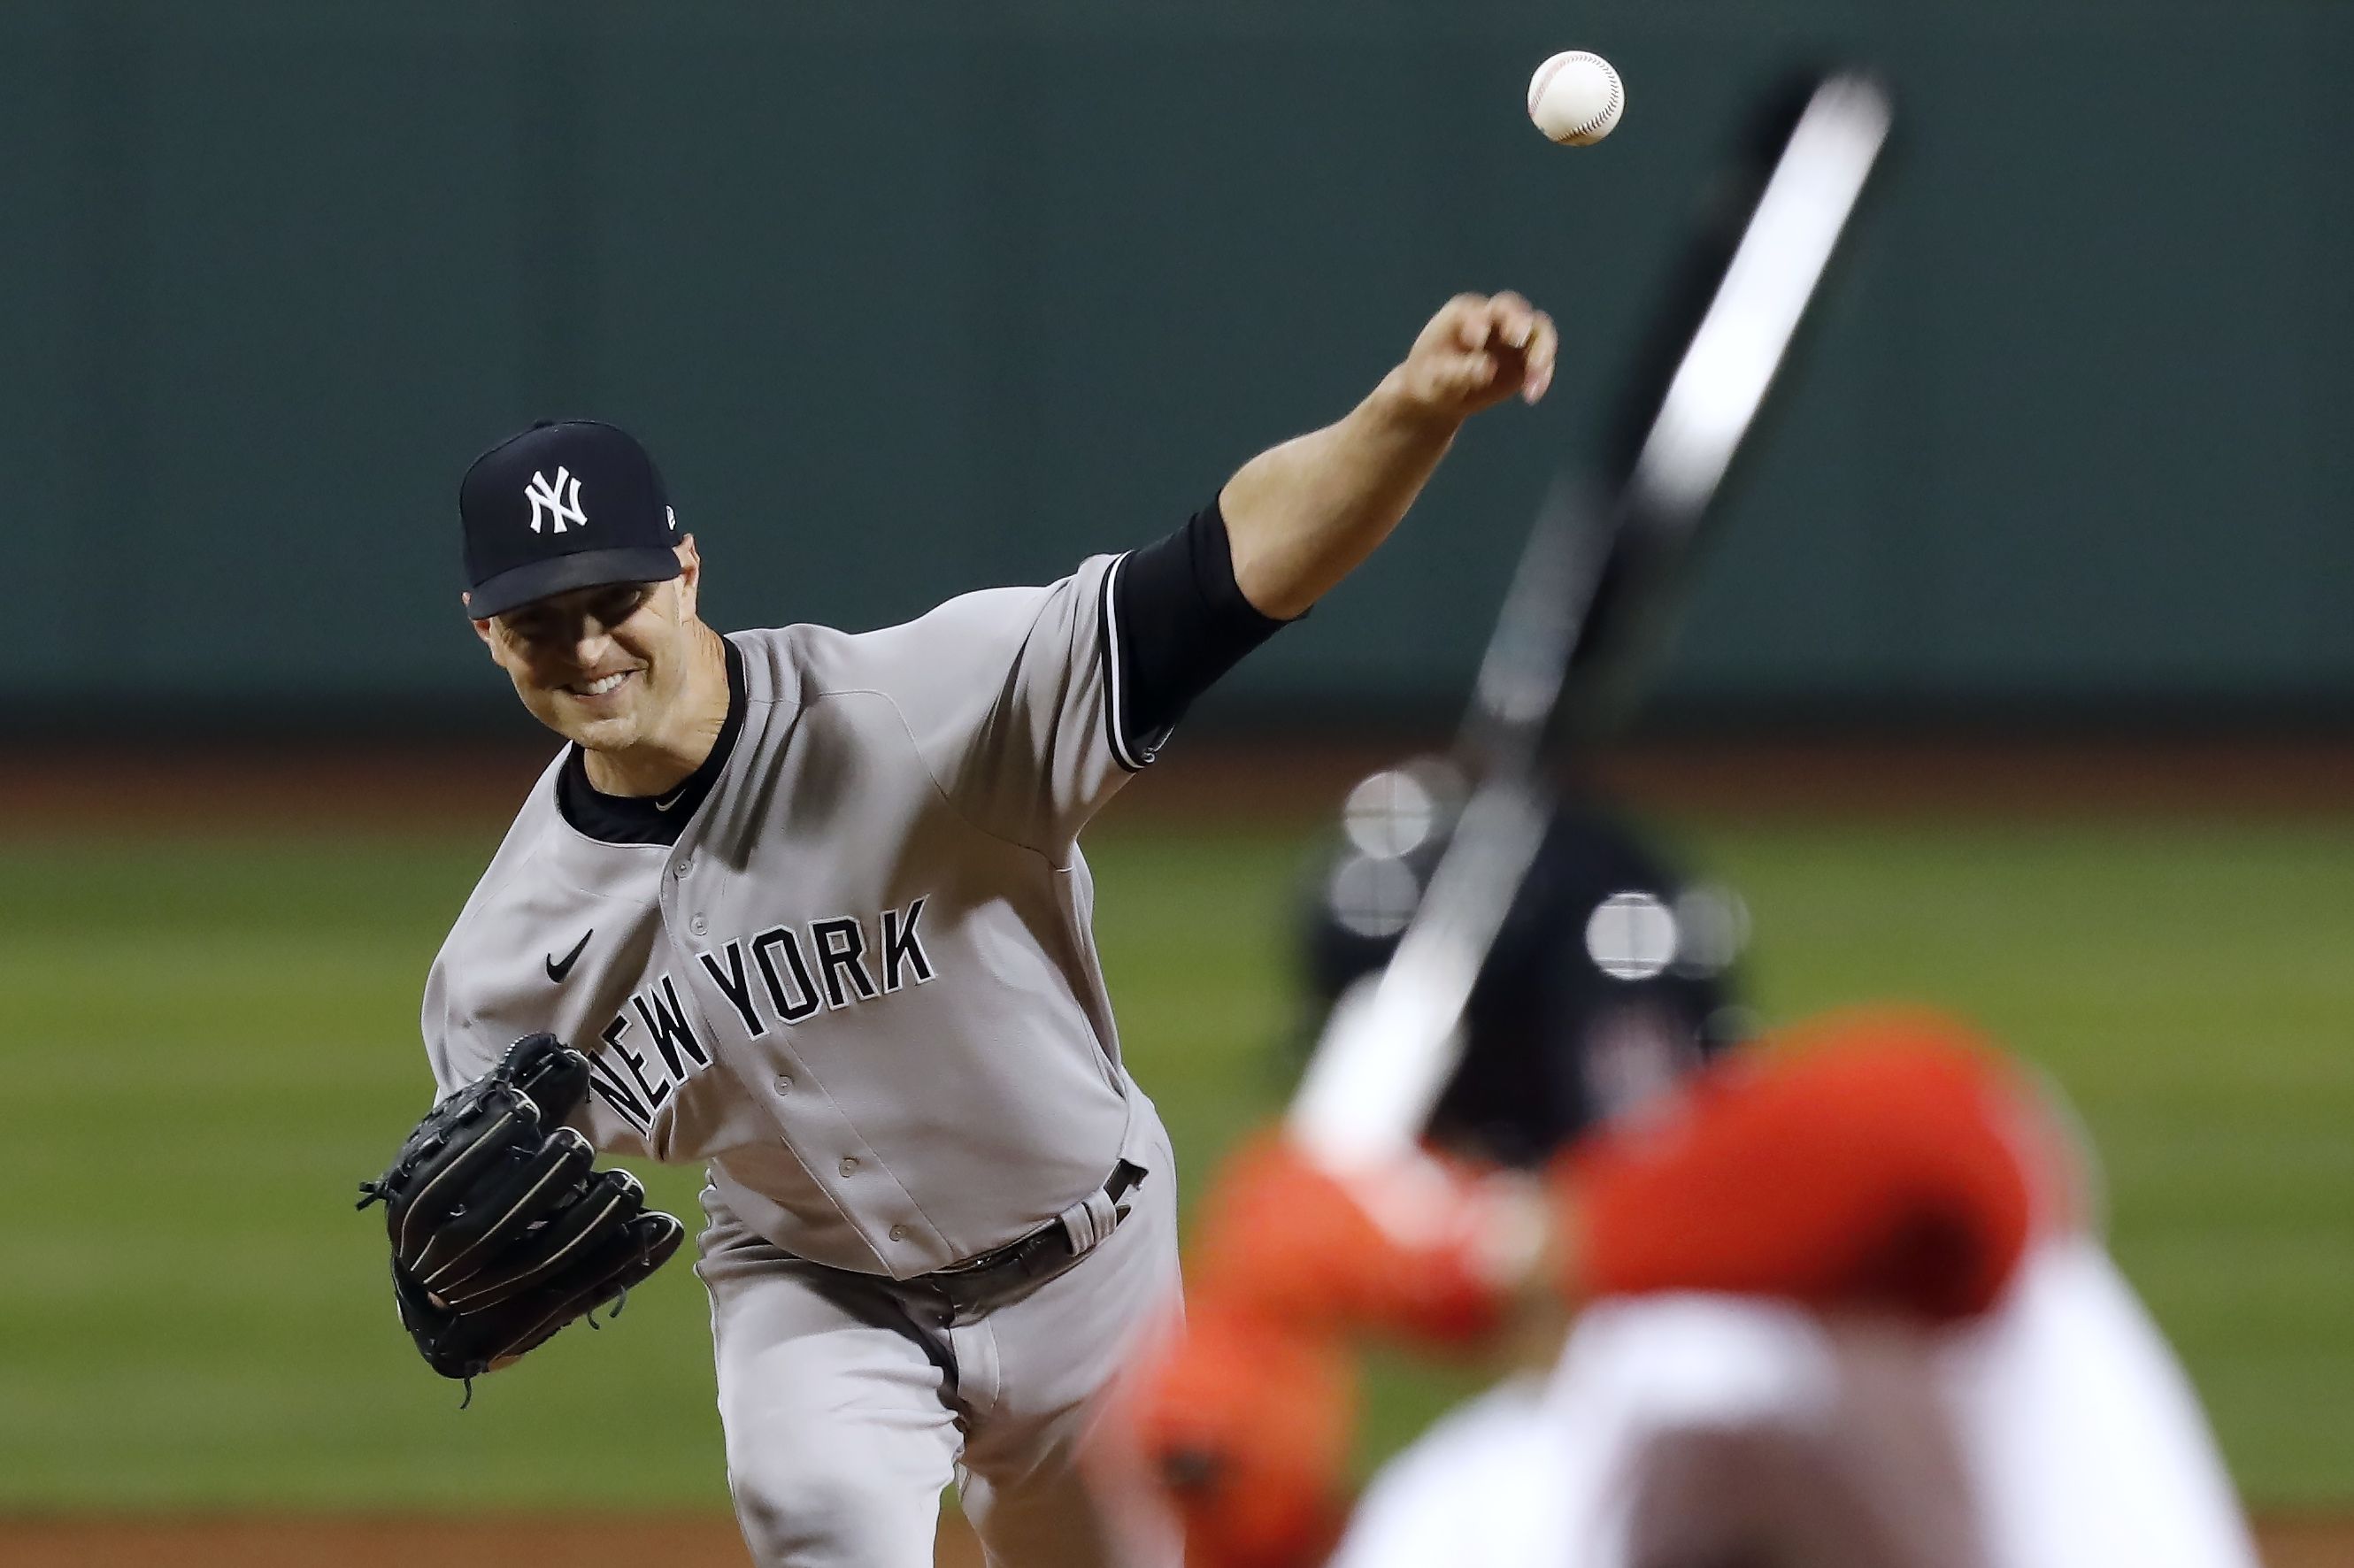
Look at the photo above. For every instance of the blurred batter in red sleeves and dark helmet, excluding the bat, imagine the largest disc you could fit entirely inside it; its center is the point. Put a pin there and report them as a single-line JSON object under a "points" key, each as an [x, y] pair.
{"points": [[1837, 1301]]}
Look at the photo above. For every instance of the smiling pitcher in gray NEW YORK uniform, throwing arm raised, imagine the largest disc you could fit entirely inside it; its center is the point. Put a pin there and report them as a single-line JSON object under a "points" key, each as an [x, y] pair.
{"points": [[809, 908]]}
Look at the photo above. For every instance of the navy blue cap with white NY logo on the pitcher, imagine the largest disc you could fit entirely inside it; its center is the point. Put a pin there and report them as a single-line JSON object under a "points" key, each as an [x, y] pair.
{"points": [[564, 505]]}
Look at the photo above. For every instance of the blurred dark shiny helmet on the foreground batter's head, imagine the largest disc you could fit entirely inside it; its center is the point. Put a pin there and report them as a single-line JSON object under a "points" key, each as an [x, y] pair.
{"points": [[1609, 981]]}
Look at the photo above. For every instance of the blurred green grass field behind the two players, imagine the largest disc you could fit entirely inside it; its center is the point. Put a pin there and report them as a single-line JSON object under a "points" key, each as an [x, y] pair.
{"points": [[211, 1042]]}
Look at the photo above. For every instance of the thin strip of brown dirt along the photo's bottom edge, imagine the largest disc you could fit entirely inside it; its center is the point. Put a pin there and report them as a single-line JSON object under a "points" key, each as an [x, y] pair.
{"points": [[696, 1541]]}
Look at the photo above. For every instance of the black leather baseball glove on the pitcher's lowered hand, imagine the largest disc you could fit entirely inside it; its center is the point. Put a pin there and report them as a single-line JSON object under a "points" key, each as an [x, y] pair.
{"points": [[500, 1230]]}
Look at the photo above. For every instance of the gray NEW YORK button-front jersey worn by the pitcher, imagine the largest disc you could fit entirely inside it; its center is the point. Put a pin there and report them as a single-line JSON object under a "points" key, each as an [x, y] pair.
{"points": [[863, 983]]}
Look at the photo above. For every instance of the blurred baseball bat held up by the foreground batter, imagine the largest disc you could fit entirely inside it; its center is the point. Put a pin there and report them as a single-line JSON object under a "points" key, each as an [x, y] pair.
{"points": [[1590, 604]]}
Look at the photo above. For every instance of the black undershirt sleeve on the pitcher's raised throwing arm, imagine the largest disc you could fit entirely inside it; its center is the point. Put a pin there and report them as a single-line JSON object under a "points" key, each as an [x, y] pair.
{"points": [[1178, 623]]}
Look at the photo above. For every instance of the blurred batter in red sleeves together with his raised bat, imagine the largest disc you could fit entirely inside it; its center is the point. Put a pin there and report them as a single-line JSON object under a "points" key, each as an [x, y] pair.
{"points": [[1826, 1298]]}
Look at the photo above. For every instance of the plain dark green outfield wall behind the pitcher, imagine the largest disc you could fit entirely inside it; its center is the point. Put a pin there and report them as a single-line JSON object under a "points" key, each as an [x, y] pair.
{"points": [[912, 298]]}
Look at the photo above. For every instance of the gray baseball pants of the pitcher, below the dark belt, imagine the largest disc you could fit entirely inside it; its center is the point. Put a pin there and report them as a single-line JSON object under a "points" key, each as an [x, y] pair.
{"points": [[851, 1400]]}
